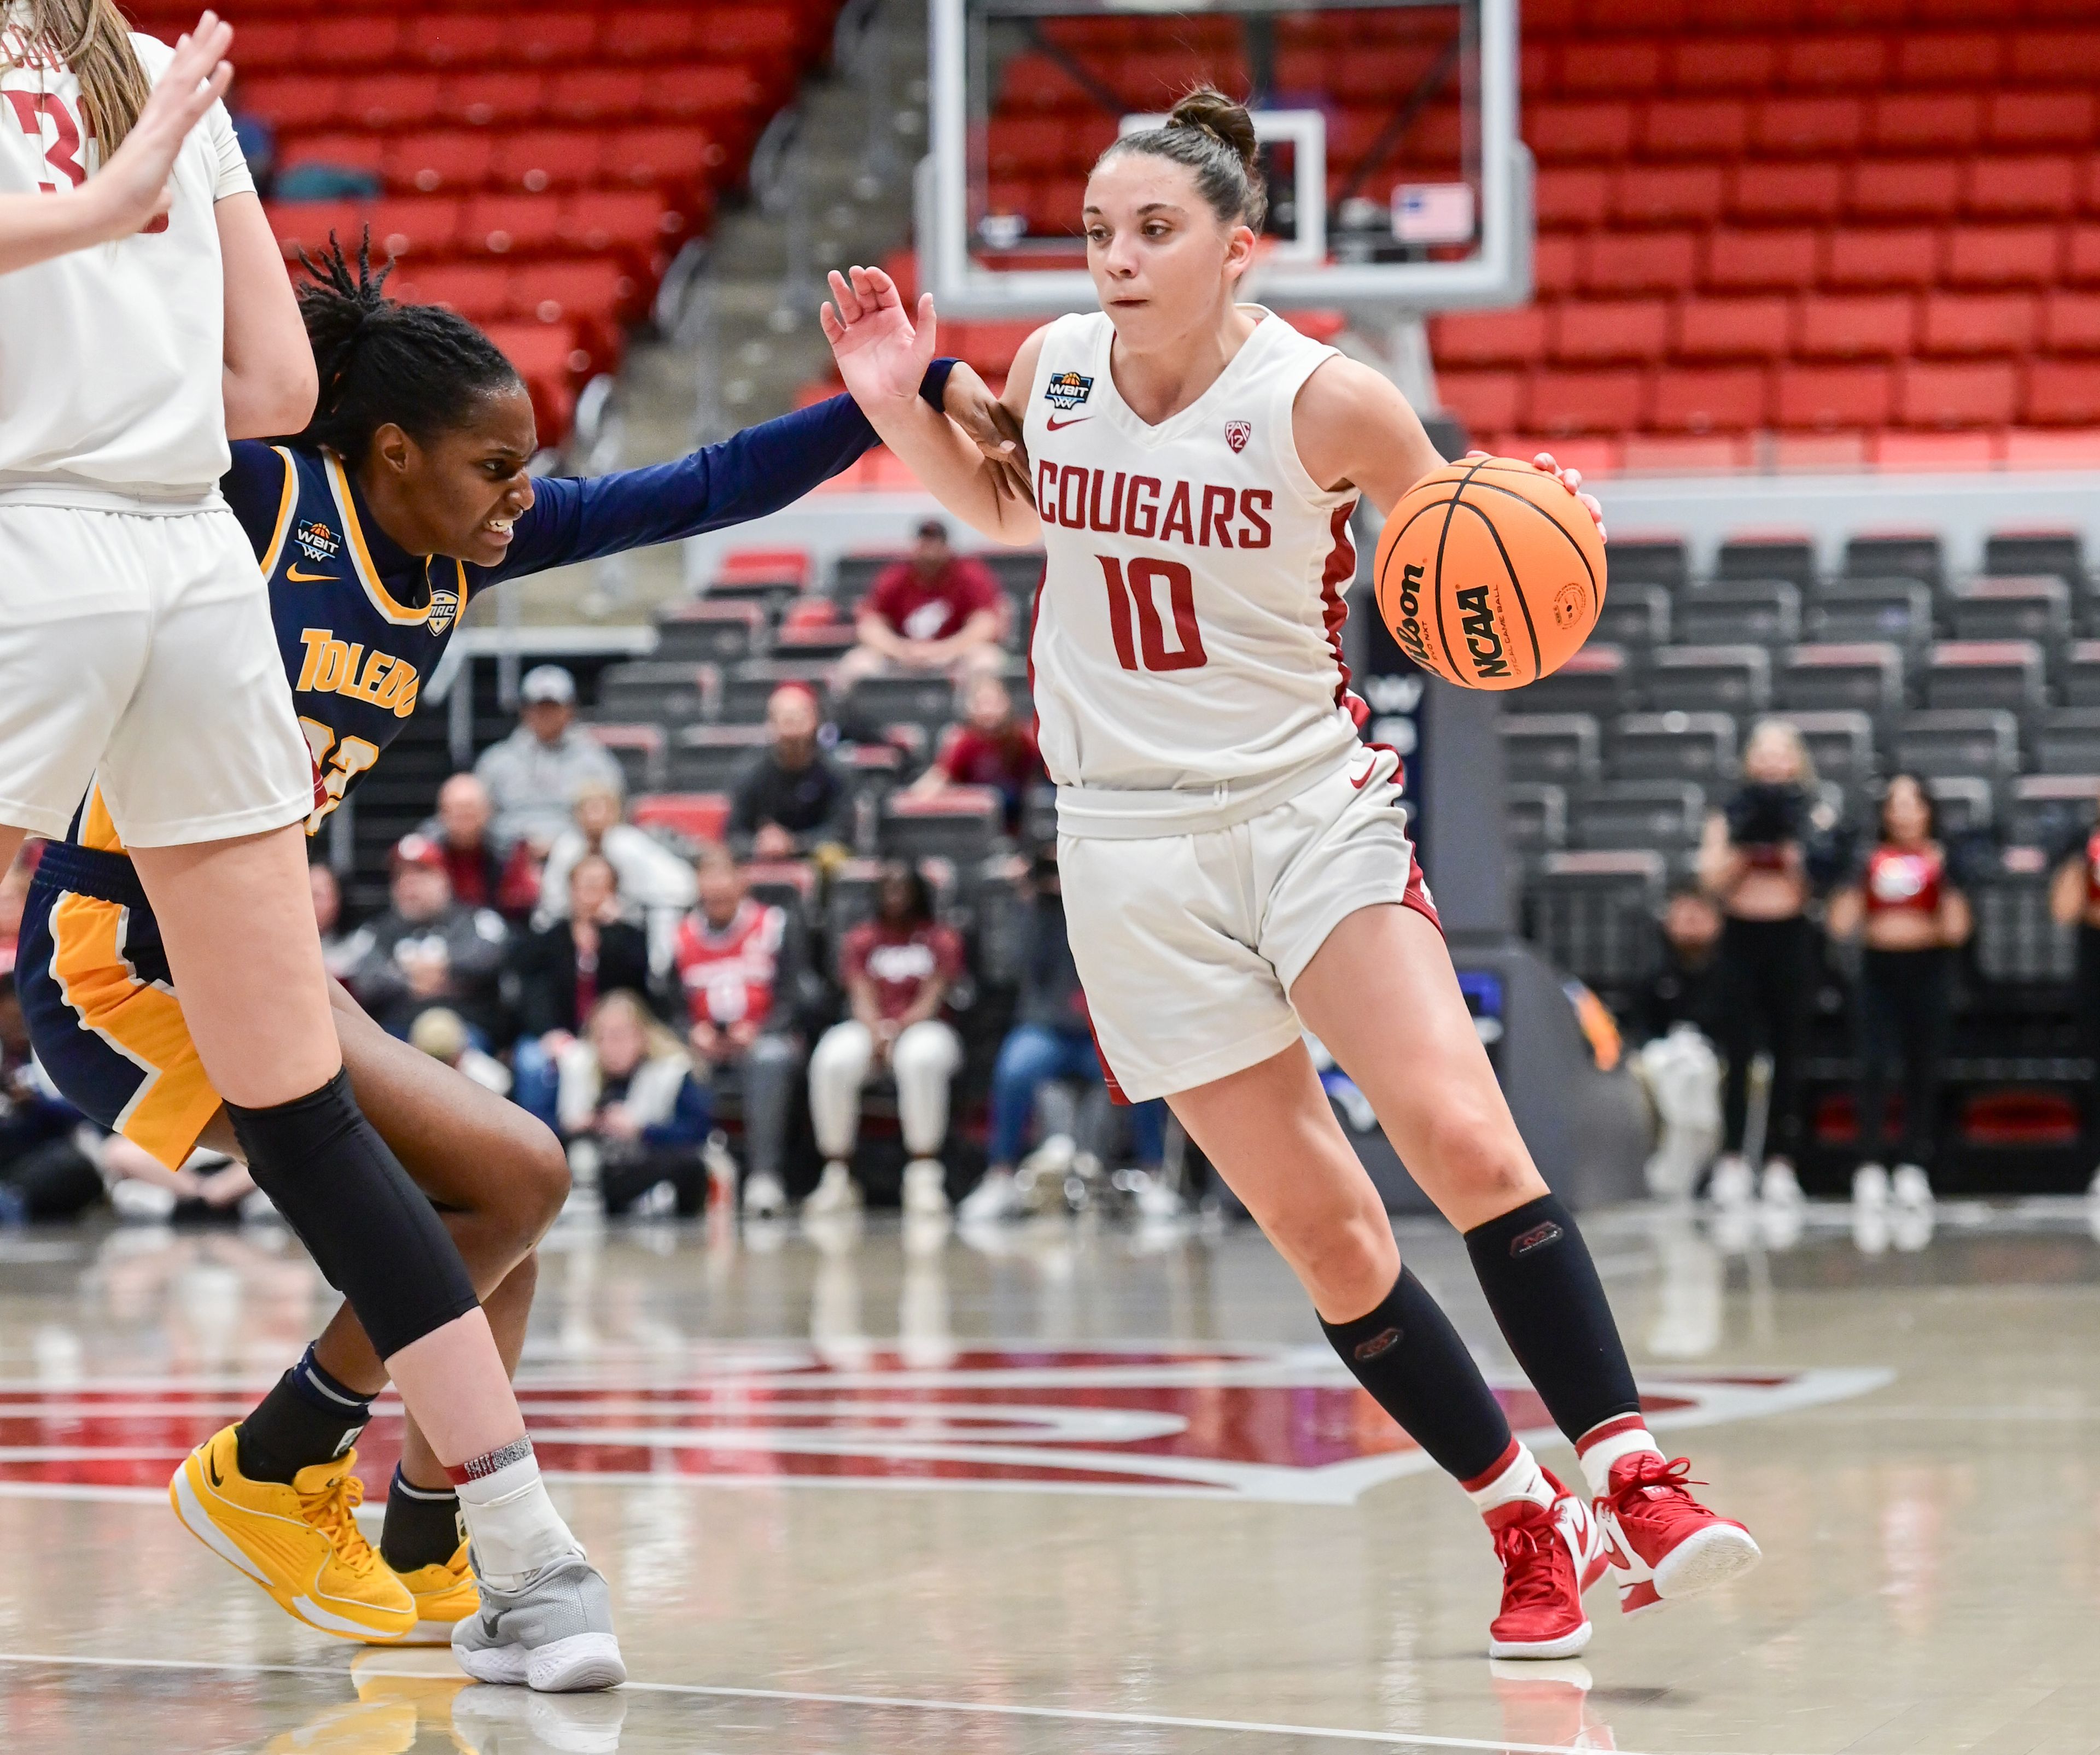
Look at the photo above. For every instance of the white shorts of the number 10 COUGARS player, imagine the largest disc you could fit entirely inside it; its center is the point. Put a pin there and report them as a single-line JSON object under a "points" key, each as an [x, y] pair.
{"points": [[1188, 946]]}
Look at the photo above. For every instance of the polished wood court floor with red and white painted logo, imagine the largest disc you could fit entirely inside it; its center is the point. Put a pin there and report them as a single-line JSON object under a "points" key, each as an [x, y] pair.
{"points": [[1099, 1489]]}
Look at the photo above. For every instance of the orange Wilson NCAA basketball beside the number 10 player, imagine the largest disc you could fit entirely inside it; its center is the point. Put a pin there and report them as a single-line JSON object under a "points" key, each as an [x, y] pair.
{"points": [[1490, 574]]}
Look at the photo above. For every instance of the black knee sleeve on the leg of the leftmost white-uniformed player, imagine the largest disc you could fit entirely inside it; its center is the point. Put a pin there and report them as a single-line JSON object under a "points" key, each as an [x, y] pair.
{"points": [[371, 1231]]}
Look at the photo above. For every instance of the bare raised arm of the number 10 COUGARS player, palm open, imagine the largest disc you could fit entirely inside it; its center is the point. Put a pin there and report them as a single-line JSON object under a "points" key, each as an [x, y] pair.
{"points": [[881, 356]]}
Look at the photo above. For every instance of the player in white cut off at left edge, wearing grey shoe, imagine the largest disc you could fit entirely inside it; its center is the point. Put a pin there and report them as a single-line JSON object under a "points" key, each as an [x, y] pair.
{"points": [[146, 318]]}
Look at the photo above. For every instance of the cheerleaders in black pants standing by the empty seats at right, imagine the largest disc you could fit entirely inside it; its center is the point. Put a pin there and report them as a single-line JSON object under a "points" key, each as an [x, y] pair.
{"points": [[1801, 921]]}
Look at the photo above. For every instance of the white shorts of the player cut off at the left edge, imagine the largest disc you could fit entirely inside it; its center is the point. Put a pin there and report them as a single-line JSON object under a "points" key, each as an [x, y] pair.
{"points": [[138, 654]]}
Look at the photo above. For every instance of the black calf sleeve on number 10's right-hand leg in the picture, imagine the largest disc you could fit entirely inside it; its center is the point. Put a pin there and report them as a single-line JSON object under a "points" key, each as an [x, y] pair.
{"points": [[1551, 1305]]}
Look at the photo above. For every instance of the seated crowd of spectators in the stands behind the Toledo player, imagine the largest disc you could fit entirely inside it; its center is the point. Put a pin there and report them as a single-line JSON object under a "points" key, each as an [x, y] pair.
{"points": [[637, 996]]}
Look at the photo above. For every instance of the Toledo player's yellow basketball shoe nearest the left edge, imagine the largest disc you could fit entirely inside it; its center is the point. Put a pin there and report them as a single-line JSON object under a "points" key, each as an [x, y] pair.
{"points": [[301, 1542]]}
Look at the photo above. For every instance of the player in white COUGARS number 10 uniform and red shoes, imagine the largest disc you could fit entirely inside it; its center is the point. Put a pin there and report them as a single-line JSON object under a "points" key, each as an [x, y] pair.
{"points": [[1236, 860]]}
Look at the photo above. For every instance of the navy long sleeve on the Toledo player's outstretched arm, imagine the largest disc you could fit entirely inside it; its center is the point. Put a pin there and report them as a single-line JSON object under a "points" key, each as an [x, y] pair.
{"points": [[749, 475]]}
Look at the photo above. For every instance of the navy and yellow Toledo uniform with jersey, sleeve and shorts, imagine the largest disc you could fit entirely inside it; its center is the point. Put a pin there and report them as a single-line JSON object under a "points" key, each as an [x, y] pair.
{"points": [[362, 627]]}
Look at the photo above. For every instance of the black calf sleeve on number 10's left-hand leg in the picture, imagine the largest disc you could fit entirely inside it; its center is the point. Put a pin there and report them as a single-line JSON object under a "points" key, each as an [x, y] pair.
{"points": [[1416, 1368]]}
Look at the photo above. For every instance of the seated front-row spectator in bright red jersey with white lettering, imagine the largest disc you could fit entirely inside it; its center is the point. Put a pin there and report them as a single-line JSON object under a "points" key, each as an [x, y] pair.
{"points": [[738, 963]]}
